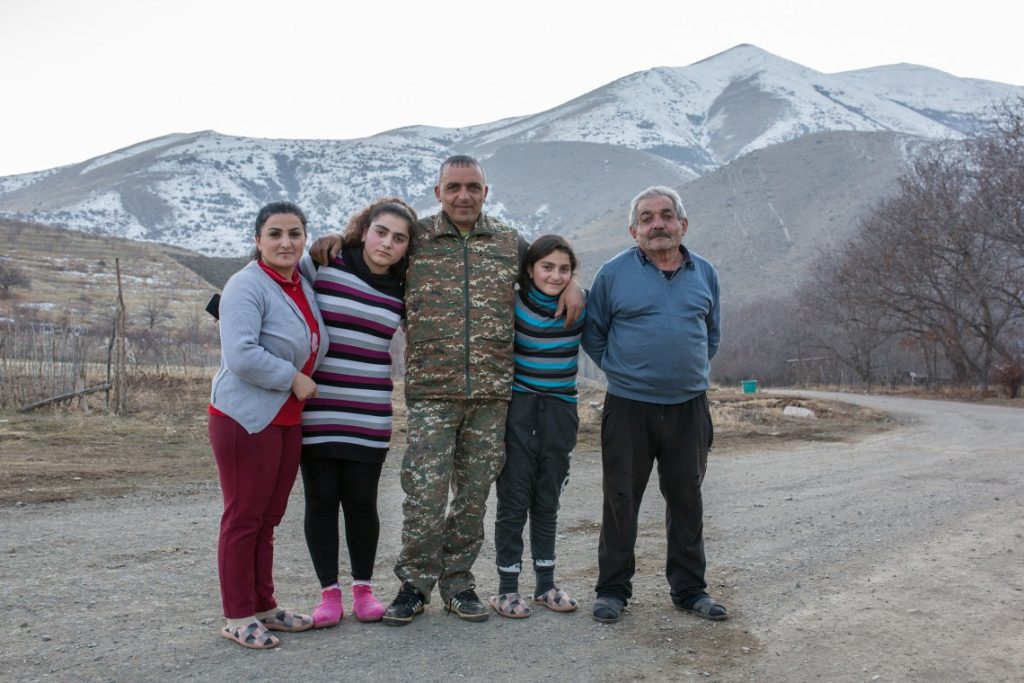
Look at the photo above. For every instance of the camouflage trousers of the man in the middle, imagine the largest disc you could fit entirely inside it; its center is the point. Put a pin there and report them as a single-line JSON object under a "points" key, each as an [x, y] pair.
{"points": [[455, 446]]}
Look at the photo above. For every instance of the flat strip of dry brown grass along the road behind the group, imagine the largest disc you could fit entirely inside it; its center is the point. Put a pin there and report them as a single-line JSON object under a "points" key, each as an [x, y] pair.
{"points": [[62, 454]]}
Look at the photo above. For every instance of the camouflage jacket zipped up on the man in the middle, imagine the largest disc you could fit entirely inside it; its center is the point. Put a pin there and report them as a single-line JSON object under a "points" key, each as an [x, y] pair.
{"points": [[460, 311]]}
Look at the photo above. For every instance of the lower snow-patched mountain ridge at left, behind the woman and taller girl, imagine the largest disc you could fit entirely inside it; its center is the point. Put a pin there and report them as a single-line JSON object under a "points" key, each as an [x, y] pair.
{"points": [[202, 191]]}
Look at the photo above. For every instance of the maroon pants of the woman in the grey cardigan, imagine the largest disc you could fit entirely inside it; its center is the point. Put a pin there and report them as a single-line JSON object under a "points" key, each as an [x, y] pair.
{"points": [[257, 477]]}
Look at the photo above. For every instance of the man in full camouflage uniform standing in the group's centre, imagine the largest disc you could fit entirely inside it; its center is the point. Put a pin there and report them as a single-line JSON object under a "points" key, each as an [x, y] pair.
{"points": [[460, 327]]}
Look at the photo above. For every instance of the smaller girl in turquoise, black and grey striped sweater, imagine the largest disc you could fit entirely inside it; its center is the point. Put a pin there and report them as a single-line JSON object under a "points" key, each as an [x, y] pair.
{"points": [[541, 432]]}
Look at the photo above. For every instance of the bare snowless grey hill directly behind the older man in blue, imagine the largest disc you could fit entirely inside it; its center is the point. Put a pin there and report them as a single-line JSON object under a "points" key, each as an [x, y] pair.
{"points": [[764, 218]]}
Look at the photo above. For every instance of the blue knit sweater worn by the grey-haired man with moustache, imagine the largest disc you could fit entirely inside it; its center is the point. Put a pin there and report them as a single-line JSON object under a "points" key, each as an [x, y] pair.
{"points": [[654, 336]]}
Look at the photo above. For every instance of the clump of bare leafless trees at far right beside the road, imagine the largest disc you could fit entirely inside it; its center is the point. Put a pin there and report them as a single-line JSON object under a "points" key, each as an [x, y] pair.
{"points": [[938, 264]]}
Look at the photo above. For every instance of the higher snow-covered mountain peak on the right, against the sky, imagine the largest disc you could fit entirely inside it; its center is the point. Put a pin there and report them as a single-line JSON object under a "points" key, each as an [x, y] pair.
{"points": [[722, 108]]}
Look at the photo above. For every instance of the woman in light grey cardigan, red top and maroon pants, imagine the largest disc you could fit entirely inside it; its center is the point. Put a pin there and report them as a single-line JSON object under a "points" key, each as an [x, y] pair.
{"points": [[271, 343]]}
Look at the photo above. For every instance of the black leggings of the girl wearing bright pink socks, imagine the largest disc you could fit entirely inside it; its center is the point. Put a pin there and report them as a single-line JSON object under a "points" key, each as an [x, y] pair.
{"points": [[329, 483]]}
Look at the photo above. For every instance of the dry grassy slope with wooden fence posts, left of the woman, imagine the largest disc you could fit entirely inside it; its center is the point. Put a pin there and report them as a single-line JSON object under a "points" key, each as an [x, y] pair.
{"points": [[56, 332]]}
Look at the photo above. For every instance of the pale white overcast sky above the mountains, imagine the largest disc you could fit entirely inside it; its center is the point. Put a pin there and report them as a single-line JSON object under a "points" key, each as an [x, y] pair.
{"points": [[81, 78]]}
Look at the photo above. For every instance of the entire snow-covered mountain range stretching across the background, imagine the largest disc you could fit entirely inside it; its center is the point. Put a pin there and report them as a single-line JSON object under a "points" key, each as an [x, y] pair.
{"points": [[549, 172]]}
